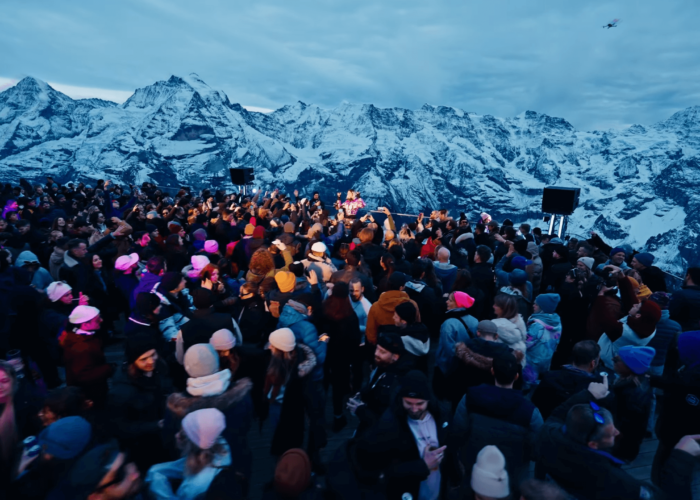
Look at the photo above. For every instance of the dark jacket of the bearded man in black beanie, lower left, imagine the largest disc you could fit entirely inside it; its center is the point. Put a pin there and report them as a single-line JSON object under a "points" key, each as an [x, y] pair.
{"points": [[136, 405]]}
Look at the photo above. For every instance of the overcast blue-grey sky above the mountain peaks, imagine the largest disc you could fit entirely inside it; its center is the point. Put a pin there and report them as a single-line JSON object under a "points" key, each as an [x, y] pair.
{"points": [[498, 57]]}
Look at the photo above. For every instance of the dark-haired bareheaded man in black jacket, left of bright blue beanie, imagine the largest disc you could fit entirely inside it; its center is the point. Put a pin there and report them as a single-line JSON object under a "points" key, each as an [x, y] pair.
{"points": [[557, 386]]}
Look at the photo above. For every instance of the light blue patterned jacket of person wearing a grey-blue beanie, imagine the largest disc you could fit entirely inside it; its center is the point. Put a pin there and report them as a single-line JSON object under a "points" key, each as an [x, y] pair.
{"points": [[543, 334]]}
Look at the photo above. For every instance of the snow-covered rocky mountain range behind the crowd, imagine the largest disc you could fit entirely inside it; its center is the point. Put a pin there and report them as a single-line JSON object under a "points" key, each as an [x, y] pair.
{"points": [[638, 185]]}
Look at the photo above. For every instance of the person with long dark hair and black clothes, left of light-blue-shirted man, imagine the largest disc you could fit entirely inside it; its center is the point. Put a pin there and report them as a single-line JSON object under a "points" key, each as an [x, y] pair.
{"points": [[342, 326]]}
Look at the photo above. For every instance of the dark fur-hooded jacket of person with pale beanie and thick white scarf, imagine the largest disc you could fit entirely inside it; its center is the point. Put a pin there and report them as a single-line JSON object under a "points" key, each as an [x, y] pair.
{"points": [[233, 399]]}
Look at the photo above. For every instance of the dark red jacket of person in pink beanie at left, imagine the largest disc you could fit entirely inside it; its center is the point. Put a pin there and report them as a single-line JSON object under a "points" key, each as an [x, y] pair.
{"points": [[86, 365]]}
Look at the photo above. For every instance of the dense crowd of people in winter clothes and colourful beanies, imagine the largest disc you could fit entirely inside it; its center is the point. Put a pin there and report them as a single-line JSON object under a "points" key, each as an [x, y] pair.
{"points": [[475, 359]]}
